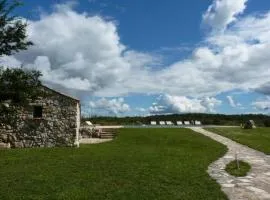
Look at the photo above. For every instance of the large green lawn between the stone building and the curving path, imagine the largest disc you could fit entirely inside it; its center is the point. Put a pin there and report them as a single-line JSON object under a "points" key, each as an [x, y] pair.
{"points": [[139, 164]]}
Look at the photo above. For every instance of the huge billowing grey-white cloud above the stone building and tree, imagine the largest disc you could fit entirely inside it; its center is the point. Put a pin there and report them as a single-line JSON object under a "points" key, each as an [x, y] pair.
{"points": [[78, 51]]}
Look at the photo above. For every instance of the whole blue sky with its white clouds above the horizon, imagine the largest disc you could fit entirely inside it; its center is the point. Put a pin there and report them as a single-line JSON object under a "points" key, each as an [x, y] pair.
{"points": [[153, 57]]}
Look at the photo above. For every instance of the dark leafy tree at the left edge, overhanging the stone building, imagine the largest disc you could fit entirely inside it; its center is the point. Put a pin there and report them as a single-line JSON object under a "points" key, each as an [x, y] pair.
{"points": [[17, 86]]}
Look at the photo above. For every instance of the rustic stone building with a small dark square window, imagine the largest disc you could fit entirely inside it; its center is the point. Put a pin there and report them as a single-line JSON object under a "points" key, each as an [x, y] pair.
{"points": [[51, 120]]}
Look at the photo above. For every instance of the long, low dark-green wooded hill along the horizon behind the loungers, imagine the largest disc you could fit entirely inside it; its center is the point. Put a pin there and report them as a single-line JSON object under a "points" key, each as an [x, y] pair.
{"points": [[206, 119]]}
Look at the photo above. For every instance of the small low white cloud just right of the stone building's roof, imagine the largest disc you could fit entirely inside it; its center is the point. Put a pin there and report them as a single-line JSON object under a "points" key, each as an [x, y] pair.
{"points": [[113, 106]]}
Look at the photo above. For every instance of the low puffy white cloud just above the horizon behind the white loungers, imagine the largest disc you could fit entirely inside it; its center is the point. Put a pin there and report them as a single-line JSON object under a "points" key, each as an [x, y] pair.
{"points": [[168, 104]]}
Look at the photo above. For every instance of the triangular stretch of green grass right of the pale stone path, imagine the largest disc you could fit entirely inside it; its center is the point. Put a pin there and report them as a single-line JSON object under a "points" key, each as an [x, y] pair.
{"points": [[258, 138]]}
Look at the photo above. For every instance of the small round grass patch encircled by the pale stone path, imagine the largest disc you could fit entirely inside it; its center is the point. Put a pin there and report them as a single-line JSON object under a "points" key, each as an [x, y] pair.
{"points": [[233, 169]]}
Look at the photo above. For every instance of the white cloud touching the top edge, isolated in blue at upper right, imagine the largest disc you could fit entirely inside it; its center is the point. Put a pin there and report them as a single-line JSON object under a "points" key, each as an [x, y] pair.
{"points": [[223, 12]]}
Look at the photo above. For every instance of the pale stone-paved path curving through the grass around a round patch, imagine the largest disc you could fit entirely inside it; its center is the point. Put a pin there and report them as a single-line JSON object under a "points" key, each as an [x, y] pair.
{"points": [[254, 186]]}
